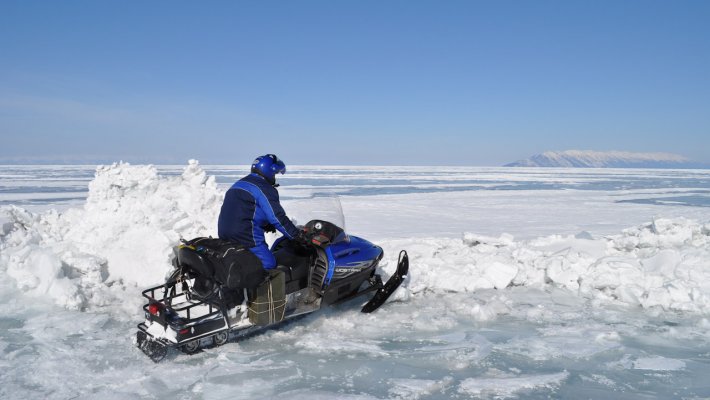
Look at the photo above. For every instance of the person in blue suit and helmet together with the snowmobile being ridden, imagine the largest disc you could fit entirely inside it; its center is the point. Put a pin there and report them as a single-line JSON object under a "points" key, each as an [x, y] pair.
{"points": [[232, 287]]}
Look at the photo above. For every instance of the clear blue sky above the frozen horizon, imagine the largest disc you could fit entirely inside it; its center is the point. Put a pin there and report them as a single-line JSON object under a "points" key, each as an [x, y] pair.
{"points": [[351, 82]]}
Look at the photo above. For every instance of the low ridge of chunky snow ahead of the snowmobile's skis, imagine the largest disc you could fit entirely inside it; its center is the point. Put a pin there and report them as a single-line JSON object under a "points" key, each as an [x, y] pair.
{"points": [[660, 265]]}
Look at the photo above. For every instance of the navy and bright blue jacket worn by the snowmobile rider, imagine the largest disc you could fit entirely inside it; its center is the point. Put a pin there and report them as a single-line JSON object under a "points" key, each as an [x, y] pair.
{"points": [[249, 206]]}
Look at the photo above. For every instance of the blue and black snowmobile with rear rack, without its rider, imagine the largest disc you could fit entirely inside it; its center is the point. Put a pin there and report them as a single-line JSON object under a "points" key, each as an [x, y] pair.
{"points": [[203, 303]]}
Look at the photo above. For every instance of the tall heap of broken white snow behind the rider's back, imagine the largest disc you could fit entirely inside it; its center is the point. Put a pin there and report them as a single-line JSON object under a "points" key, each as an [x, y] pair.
{"points": [[121, 238]]}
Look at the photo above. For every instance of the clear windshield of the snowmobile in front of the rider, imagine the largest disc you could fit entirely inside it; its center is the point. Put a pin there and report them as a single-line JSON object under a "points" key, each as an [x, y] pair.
{"points": [[321, 206]]}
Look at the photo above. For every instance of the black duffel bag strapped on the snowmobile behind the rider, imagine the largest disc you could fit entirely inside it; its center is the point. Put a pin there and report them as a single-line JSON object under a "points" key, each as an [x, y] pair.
{"points": [[225, 263]]}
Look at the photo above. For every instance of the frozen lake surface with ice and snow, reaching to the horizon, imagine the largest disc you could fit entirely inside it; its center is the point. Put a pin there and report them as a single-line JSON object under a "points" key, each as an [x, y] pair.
{"points": [[524, 283]]}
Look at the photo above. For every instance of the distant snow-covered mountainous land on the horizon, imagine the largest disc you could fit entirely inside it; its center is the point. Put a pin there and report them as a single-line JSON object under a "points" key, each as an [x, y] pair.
{"points": [[606, 159]]}
